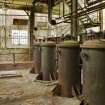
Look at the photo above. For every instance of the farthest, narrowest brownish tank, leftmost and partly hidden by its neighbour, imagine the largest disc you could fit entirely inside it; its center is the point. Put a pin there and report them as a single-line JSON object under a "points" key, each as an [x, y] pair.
{"points": [[37, 57]]}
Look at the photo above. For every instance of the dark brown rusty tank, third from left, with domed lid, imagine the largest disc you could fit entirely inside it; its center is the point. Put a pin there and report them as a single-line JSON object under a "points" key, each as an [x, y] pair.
{"points": [[68, 67]]}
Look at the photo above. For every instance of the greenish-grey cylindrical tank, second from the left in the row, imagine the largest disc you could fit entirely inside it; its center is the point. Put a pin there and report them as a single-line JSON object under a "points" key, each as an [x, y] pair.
{"points": [[48, 60]]}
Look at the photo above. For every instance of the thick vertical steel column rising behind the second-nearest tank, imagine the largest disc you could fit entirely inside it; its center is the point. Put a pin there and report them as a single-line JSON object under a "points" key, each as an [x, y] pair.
{"points": [[74, 19]]}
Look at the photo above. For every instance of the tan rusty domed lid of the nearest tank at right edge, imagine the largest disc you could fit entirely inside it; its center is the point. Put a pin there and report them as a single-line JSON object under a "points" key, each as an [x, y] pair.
{"points": [[96, 43]]}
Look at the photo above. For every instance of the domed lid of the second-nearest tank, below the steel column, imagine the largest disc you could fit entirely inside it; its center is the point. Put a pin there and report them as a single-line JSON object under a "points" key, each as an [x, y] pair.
{"points": [[69, 43]]}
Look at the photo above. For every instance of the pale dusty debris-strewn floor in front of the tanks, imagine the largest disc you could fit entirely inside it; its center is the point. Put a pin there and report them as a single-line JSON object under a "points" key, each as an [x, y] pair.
{"points": [[23, 91]]}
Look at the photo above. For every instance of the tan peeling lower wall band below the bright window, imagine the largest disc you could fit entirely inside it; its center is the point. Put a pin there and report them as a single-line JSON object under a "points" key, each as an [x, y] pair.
{"points": [[14, 56]]}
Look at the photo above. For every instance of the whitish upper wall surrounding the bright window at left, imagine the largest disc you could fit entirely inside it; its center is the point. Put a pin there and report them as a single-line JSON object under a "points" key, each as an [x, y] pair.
{"points": [[6, 26]]}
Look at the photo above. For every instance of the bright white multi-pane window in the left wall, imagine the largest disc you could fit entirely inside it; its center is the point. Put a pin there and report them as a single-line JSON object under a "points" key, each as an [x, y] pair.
{"points": [[19, 37]]}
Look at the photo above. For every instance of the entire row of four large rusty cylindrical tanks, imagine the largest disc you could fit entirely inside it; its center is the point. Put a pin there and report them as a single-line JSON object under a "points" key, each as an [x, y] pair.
{"points": [[64, 58]]}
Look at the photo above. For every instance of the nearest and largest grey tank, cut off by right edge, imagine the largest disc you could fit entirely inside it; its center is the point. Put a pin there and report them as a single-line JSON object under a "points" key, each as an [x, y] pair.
{"points": [[93, 55]]}
